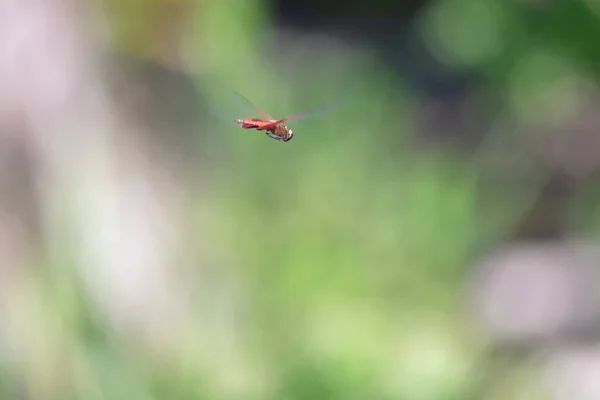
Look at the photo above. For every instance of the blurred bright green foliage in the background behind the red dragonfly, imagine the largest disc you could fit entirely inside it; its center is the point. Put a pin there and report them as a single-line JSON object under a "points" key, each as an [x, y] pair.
{"points": [[350, 244]]}
